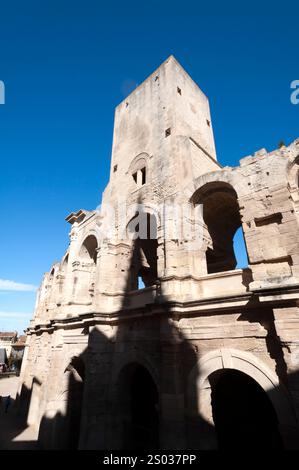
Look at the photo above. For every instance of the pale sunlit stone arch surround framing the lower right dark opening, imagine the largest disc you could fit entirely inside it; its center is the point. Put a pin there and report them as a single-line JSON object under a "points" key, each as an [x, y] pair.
{"points": [[199, 389]]}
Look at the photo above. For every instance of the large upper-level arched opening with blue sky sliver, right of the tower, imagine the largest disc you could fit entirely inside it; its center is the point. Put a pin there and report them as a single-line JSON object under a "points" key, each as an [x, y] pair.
{"points": [[221, 215]]}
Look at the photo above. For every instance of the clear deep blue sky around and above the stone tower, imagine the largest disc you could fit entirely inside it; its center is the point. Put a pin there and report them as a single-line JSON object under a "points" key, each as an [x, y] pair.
{"points": [[67, 64]]}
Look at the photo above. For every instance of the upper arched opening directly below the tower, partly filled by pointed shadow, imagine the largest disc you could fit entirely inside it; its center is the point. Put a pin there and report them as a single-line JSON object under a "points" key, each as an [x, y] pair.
{"points": [[143, 270]]}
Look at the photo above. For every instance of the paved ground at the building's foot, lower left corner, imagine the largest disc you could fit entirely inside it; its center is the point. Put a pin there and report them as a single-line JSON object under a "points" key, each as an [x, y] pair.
{"points": [[14, 433]]}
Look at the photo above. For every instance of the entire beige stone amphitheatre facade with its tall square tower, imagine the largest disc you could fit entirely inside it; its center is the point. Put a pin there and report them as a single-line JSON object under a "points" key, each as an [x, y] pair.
{"points": [[146, 335]]}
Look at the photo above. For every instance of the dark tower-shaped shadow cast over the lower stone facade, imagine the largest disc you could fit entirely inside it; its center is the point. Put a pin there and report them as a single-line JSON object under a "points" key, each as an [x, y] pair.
{"points": [[131, 387]]}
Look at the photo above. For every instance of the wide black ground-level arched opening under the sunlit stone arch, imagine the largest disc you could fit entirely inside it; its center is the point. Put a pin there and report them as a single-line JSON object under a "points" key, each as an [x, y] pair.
{"points": [[243, 414]]}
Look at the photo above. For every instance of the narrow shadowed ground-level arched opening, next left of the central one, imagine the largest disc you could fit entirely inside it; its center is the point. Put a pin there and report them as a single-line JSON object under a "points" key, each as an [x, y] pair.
{"points": [[76, 370]]}
